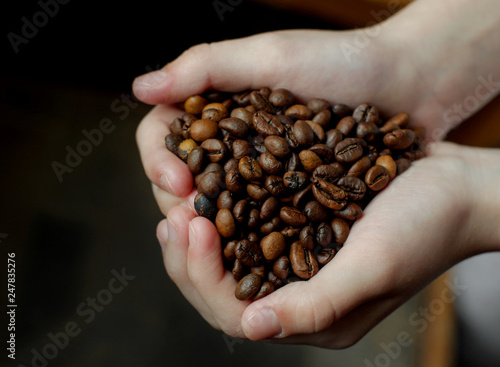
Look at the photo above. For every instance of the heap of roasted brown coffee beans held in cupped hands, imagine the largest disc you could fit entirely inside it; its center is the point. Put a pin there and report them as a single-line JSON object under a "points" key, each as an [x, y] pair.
{"points": [[284, 181]]}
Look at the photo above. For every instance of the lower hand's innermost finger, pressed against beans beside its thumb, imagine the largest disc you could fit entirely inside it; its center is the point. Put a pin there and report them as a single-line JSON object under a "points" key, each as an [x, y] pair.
{"points": [[215, 284]]}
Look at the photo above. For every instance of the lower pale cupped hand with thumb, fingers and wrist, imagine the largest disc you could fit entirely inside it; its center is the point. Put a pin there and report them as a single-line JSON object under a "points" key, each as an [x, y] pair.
{"points": [[425, 221]]}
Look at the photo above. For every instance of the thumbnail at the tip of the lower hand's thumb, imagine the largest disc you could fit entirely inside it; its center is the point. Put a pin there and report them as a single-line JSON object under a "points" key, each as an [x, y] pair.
{"points": [[262, 324]]}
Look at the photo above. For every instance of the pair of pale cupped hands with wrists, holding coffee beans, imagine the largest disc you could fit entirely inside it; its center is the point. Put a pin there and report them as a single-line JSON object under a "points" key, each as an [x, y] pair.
{"points": [[441, 211]]}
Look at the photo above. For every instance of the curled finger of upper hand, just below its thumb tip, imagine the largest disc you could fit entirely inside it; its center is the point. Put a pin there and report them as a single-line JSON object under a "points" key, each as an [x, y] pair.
{"points": [[162, 167]]}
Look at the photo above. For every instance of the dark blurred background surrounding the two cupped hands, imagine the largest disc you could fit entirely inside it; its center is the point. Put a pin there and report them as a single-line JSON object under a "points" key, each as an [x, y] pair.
{"points": [[91, 289]]}
